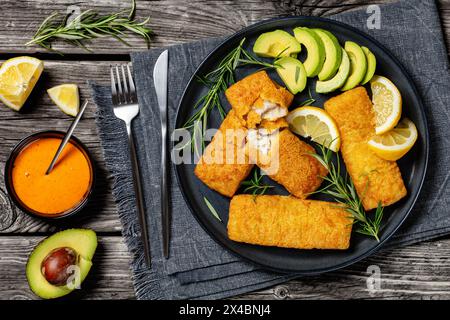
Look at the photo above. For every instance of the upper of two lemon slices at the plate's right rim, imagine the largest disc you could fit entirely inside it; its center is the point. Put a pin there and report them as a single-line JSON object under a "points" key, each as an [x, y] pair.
{"points": [[387, 103]]}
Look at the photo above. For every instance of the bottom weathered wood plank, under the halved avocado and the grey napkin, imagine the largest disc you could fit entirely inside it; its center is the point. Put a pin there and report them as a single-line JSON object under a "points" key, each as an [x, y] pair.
{"points": [[416, 272]]}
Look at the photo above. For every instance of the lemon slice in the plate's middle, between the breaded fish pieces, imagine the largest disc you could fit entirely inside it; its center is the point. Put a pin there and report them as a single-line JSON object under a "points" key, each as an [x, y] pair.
{"points": [[315, 123]]}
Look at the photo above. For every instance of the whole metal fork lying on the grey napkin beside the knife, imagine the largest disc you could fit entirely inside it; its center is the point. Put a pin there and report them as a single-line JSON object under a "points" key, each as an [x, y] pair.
{"points": [[126, 108]]}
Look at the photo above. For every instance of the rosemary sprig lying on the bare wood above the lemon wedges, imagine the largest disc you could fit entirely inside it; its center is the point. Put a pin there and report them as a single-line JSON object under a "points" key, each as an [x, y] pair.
{"points": [[89, 25]]}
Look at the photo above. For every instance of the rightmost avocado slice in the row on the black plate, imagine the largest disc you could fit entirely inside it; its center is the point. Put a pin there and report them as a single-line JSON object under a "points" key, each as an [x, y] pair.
{"points": [[358, 65]]}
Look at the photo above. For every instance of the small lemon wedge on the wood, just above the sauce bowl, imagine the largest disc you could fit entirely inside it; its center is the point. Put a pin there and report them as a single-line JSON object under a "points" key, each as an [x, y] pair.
{"points": [[66, 97]]}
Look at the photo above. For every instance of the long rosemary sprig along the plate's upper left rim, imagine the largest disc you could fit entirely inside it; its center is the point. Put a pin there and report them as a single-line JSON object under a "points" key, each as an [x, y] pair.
{"points": [[217, 81]]}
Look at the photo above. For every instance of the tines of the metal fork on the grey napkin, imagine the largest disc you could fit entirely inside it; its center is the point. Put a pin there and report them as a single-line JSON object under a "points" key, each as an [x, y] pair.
{"points": [[122, 85]]}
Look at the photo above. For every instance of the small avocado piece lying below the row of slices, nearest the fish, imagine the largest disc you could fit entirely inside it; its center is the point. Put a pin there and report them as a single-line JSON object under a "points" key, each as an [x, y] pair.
{"points": [[293, 74]]}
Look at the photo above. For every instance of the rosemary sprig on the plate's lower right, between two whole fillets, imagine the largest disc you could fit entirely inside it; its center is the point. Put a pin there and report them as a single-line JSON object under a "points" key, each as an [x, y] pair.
{"points": [[343, 191]]}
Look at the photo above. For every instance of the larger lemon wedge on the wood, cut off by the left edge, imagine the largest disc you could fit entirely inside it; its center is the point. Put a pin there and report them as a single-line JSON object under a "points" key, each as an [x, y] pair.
{"points": [[17, 79]]}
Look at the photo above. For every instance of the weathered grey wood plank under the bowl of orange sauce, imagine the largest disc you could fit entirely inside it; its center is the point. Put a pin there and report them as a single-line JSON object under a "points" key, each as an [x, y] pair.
{"points": [[100, 214]]}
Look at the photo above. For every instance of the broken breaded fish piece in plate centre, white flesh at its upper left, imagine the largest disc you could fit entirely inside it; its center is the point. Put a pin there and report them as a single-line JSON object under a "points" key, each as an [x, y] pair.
{"points": [[286, 159]]}
